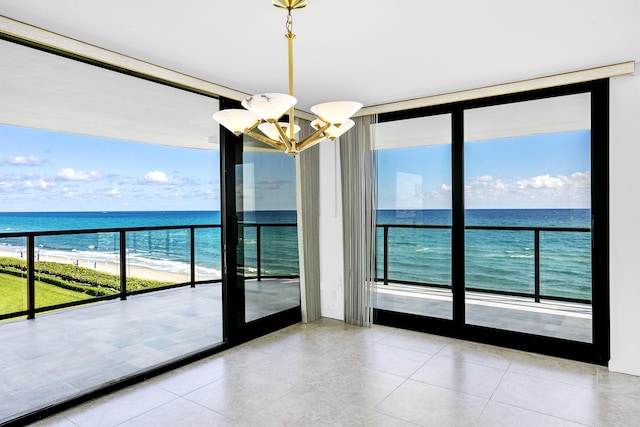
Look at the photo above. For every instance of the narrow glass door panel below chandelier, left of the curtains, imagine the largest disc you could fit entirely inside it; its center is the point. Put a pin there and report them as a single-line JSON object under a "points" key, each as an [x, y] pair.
{"points": [[267, 232]]}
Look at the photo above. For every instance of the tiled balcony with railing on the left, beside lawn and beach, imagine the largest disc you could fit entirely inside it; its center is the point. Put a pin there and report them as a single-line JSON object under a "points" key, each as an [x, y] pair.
{"points": [[105, 327]]}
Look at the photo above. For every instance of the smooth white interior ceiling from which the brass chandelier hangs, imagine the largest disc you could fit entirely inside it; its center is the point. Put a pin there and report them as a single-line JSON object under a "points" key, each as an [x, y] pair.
{"points": [[371, 51]]}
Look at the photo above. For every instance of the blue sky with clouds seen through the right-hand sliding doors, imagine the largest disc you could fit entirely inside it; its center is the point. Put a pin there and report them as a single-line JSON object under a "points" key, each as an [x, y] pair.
{"points": [[537, 171]]}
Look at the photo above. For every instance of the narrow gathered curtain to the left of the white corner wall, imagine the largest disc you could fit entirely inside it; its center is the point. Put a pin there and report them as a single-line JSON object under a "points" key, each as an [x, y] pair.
{"points": [[308, 188]]}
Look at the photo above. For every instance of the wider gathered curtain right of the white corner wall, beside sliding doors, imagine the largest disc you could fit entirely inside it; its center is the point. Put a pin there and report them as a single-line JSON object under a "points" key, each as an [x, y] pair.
{"points": [[358, 173]]}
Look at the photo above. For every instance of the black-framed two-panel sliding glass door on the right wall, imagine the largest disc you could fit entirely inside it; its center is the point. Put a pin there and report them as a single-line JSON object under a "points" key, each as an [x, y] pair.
{"points": [[496, 229]]}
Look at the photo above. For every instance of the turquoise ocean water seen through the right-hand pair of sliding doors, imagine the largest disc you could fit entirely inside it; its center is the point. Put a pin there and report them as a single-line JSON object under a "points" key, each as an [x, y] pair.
{"points": [[494, 259]]}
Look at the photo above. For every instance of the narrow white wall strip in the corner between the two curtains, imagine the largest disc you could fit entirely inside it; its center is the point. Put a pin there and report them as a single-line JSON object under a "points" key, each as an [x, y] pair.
{"points": [[331, 251]]}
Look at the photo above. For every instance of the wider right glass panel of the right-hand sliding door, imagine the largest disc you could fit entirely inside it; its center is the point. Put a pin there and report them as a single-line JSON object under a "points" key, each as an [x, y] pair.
{"points": [[527, 217]]}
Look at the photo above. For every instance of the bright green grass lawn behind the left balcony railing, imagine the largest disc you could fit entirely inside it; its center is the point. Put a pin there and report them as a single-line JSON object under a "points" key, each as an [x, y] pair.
{"points": [[13, 294]]}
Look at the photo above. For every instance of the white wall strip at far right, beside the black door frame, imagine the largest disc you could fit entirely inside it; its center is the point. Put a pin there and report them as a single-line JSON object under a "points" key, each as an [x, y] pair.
{"points": [[624, 227]]}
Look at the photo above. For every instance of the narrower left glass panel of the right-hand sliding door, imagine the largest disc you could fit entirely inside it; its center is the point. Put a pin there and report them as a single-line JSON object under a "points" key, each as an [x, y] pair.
{"points": [[413, 244]]}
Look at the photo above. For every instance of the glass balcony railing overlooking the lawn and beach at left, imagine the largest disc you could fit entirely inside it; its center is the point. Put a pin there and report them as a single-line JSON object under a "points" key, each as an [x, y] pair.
{"points": [[51, 270]]}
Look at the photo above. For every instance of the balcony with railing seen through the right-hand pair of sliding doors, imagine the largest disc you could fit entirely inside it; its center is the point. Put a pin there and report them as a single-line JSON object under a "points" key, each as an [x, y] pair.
{"points": [[535, 298]]}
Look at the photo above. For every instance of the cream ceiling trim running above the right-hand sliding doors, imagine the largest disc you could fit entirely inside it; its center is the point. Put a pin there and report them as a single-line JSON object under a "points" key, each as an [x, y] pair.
{"points": [[607, 71]]}
